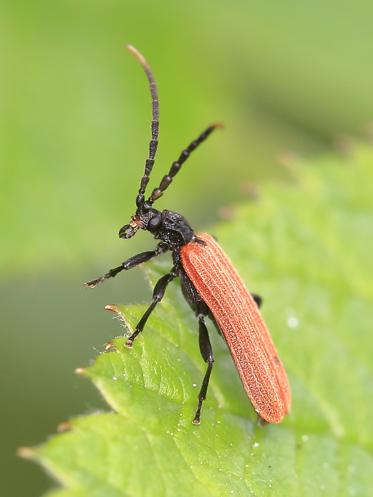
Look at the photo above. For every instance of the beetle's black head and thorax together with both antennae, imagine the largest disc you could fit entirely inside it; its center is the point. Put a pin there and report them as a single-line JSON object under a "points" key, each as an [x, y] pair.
{"points": [[146, 216]]}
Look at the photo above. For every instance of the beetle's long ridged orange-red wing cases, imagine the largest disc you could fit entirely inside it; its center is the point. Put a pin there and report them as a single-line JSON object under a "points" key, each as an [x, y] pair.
{"points": [[240, 322]]}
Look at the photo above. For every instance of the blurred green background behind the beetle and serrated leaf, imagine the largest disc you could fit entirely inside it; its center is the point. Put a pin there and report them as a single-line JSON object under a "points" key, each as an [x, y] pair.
{"points": [[285, 77]]}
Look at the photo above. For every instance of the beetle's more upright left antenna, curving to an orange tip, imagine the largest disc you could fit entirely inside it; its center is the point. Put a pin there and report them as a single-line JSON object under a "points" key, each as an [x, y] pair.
{"points": [[149, 163]]}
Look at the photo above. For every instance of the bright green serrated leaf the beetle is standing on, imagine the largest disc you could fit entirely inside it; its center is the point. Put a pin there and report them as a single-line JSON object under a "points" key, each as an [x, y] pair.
{"points": [[306, 248]]}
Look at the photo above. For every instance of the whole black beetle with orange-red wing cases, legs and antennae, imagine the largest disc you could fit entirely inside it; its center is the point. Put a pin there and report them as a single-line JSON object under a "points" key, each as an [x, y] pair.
{"points": [[209, 282]]}
